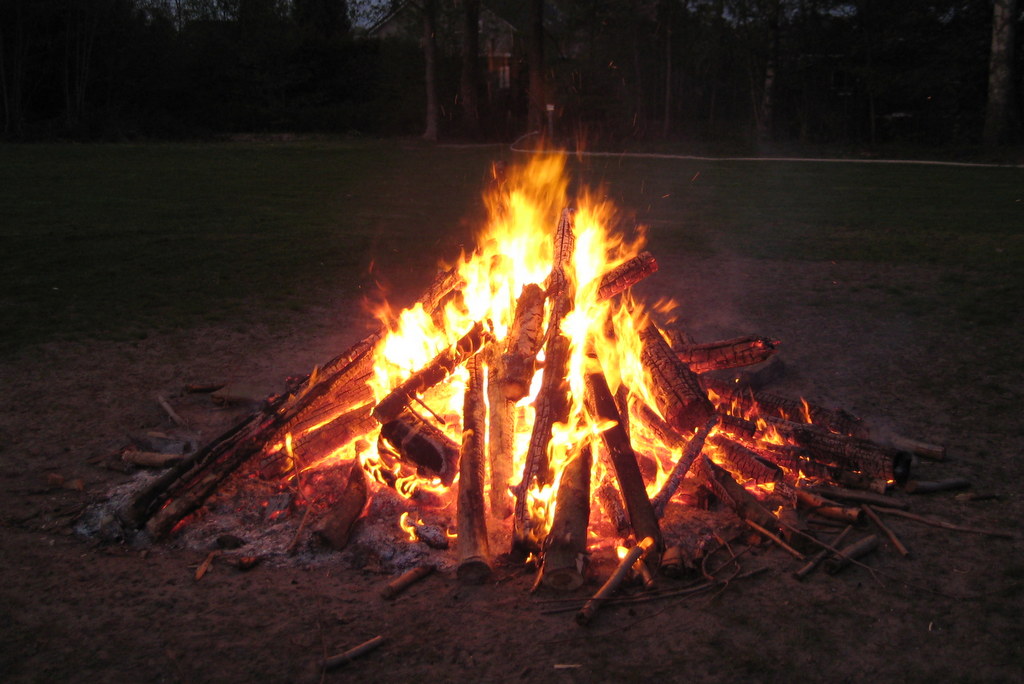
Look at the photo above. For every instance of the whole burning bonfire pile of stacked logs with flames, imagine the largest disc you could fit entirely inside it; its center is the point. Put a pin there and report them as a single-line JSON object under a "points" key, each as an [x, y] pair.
{"points": [[567, 422]]}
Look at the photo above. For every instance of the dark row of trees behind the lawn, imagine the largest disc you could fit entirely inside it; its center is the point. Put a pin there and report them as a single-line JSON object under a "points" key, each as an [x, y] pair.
{"points": [[813, 71]]}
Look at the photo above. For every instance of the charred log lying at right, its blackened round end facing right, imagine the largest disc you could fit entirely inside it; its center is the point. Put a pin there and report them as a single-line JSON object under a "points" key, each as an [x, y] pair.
{"points": [[851, 454]]}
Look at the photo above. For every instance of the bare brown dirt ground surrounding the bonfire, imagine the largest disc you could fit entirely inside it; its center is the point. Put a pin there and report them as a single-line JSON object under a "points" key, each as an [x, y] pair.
{"points": [[78, 610]]}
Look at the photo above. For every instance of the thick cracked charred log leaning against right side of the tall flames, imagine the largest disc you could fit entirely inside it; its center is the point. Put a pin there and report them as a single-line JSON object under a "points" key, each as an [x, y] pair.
{"points": [[677, 391]]}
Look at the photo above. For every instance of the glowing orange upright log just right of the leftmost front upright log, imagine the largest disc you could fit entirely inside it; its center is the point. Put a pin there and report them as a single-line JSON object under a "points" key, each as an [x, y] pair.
{"points": [[501, 436]]}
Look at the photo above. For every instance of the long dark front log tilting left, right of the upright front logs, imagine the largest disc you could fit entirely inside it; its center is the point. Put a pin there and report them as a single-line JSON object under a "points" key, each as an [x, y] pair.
{"points": [[624, 460]]}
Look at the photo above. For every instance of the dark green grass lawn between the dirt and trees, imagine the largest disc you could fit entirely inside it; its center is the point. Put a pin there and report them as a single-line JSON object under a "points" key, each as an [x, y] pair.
{"points": [[123, 241]]}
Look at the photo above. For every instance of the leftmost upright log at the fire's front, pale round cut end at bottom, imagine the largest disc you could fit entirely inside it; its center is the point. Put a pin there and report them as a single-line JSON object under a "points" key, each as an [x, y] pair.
{"points": [[475, 552]]}
